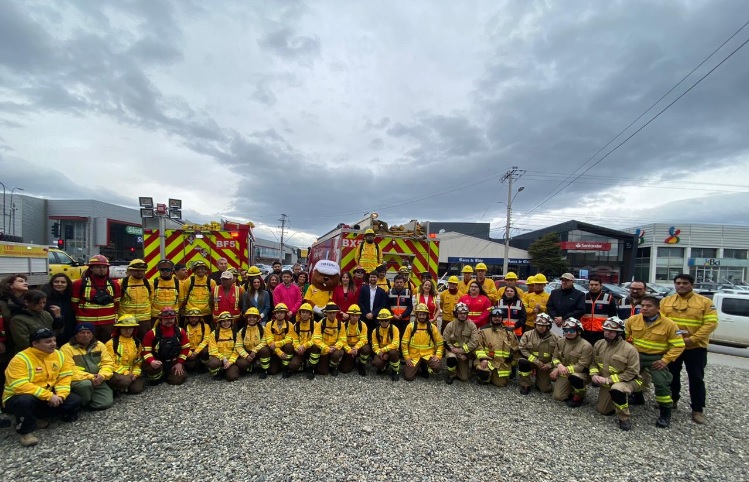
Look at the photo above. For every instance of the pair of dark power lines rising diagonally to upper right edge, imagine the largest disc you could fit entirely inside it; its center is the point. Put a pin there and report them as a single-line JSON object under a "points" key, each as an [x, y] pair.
{"points": [[559, 189]]}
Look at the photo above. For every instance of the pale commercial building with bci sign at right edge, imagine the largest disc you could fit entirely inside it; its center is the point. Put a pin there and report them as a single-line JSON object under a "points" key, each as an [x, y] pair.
{"points": [[709, 252]]}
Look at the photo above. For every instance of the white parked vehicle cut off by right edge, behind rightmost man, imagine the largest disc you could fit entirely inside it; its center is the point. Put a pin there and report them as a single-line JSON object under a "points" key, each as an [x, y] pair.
{"points": [[733, 318]]}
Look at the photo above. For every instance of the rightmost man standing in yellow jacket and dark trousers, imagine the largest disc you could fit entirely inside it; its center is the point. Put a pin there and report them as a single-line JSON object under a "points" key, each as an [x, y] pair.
{"points": [[696, 318]]}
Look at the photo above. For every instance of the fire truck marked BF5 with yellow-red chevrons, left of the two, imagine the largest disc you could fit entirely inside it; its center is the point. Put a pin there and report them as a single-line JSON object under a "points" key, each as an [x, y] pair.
{"points": [[206, 242]]}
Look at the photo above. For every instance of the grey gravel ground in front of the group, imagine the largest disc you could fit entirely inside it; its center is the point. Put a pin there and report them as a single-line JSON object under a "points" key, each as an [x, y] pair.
{"points": [[353, 428]]}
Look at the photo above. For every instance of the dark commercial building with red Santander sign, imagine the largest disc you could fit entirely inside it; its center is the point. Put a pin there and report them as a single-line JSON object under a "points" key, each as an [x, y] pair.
{"points": [[590, 250]]}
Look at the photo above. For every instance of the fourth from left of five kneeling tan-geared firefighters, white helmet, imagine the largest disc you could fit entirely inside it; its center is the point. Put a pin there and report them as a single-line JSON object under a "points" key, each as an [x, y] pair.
{"points": [[572, 358]]}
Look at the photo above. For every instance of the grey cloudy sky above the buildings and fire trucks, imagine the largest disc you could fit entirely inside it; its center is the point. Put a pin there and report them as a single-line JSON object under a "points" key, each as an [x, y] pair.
{"points": [[325, 111]]}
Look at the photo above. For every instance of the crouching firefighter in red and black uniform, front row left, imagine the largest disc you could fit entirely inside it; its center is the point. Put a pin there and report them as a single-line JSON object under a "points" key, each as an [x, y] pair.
{"points": [[165, 349]]}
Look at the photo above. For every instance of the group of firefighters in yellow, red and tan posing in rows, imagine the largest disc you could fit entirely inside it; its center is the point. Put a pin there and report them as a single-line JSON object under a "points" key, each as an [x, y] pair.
{"points": [[135, 331]]}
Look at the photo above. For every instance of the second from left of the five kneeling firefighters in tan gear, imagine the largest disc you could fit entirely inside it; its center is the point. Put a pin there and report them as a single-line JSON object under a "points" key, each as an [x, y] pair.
{"points": [[497, 345]]}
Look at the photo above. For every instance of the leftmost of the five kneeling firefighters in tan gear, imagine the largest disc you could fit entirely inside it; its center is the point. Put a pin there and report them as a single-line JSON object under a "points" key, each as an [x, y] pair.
{"points": [[461, 339]]}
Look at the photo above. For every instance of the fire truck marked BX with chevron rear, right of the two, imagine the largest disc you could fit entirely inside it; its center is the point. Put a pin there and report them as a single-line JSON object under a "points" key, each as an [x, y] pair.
{"points": [[409, 245]]}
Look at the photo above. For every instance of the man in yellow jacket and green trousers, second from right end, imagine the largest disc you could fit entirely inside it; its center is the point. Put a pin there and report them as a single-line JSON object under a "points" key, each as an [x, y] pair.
{"points": [[658, 342]]}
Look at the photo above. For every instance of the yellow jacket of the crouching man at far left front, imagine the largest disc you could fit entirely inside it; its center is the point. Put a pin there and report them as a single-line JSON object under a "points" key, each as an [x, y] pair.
{"points": [[33, 372]]}
